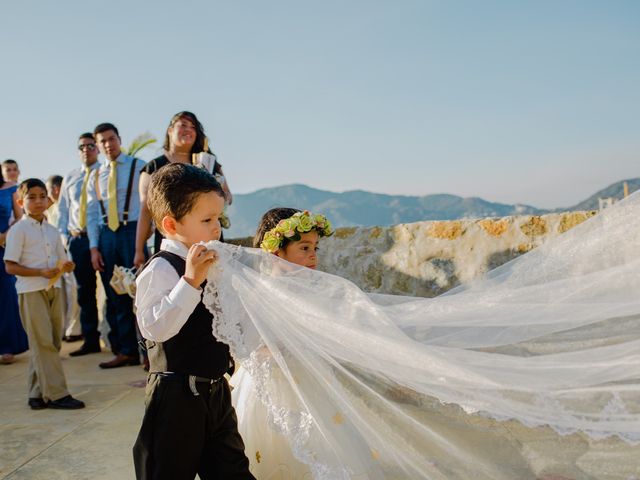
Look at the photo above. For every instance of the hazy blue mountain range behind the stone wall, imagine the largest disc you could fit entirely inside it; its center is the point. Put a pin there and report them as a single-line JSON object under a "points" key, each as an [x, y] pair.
{"points": [[362, 208]]}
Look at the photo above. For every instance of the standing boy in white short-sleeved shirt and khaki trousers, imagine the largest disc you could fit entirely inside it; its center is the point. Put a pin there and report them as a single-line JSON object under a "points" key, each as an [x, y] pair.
{"points": [[35, 255]]}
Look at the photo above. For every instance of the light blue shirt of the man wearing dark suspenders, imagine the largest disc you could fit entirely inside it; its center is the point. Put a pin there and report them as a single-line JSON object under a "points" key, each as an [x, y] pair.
{"points": [[94, 213]]}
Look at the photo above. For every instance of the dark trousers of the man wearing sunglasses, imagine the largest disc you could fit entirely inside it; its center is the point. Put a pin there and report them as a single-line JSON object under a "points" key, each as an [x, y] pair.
{"points": [[86, 280]]}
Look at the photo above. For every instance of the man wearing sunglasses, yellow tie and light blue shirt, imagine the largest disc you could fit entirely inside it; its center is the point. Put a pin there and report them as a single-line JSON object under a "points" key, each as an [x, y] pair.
{"points": [[72, 223]]}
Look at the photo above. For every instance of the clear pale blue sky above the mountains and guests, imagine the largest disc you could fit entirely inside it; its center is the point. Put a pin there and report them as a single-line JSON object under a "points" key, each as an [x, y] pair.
{"points": [[531, 102]]}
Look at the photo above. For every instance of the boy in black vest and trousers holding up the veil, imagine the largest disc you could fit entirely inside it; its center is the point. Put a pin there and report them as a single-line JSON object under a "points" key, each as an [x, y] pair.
{"points": [[189, 426]]}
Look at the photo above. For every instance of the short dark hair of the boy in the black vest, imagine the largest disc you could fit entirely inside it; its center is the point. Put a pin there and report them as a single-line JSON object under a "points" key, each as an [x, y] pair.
{"points": [[175, 188]]}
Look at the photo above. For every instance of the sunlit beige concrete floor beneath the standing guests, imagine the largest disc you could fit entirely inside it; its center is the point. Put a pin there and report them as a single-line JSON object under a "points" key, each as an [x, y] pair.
{"points": [[94, 442]]}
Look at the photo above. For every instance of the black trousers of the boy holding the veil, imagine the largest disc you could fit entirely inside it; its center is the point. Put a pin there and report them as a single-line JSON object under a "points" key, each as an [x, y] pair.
{"points": [[183, 435]]}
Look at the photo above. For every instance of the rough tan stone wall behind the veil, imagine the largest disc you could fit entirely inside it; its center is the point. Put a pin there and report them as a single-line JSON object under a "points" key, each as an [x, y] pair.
{"points": [[428, 258]]}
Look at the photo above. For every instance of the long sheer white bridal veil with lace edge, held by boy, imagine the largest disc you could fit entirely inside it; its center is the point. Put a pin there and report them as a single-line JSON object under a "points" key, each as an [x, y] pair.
{"points": [[531, 372]]}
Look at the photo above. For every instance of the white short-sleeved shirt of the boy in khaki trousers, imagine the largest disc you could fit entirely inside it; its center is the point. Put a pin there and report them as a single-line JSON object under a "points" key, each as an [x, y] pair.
{"points": [[34, 244]]}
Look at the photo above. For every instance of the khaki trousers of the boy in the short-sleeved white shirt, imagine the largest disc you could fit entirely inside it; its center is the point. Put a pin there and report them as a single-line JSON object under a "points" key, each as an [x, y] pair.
{"points": [[42, 318]]}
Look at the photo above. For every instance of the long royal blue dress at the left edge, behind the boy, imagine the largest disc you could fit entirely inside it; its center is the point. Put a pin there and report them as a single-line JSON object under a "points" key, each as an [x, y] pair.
{"points": [[13, 339]]}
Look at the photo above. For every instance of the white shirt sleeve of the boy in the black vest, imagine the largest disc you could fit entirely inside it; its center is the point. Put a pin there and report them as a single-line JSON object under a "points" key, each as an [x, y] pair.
{"points": [[164, 301]]}
